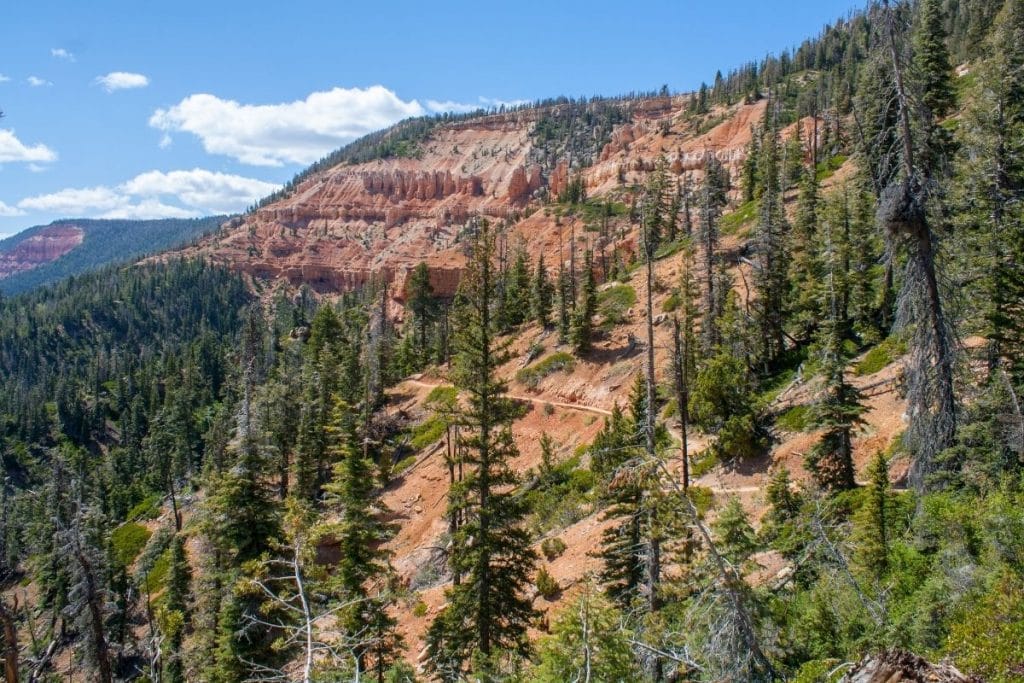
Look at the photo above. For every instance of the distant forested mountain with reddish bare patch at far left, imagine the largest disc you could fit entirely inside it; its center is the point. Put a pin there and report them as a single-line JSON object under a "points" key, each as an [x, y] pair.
{"points": [[48, 253]]}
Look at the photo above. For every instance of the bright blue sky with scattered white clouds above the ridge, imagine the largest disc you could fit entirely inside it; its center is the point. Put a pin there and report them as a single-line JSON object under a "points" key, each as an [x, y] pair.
{"points": [[127, 109]]}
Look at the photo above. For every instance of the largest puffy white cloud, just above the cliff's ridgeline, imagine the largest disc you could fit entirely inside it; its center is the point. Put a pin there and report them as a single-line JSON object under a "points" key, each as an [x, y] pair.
{"points": [[297, 133]]}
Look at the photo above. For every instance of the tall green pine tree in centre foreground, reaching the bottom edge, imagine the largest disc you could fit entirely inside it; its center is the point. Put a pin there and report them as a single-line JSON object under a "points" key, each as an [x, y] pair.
{"points": [[488, 614]]}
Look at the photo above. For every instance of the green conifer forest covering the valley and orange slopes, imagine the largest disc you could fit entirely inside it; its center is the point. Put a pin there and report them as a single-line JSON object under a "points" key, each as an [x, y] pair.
{"points": [[194, 467]]}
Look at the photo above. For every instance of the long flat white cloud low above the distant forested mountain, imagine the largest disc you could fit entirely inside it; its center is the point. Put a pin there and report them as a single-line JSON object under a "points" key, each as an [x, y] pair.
{"points": [[156, 195]]}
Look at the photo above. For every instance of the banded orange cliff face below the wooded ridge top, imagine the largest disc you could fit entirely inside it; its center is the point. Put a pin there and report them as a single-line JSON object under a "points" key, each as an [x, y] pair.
{"points": [[377, 221]]}
